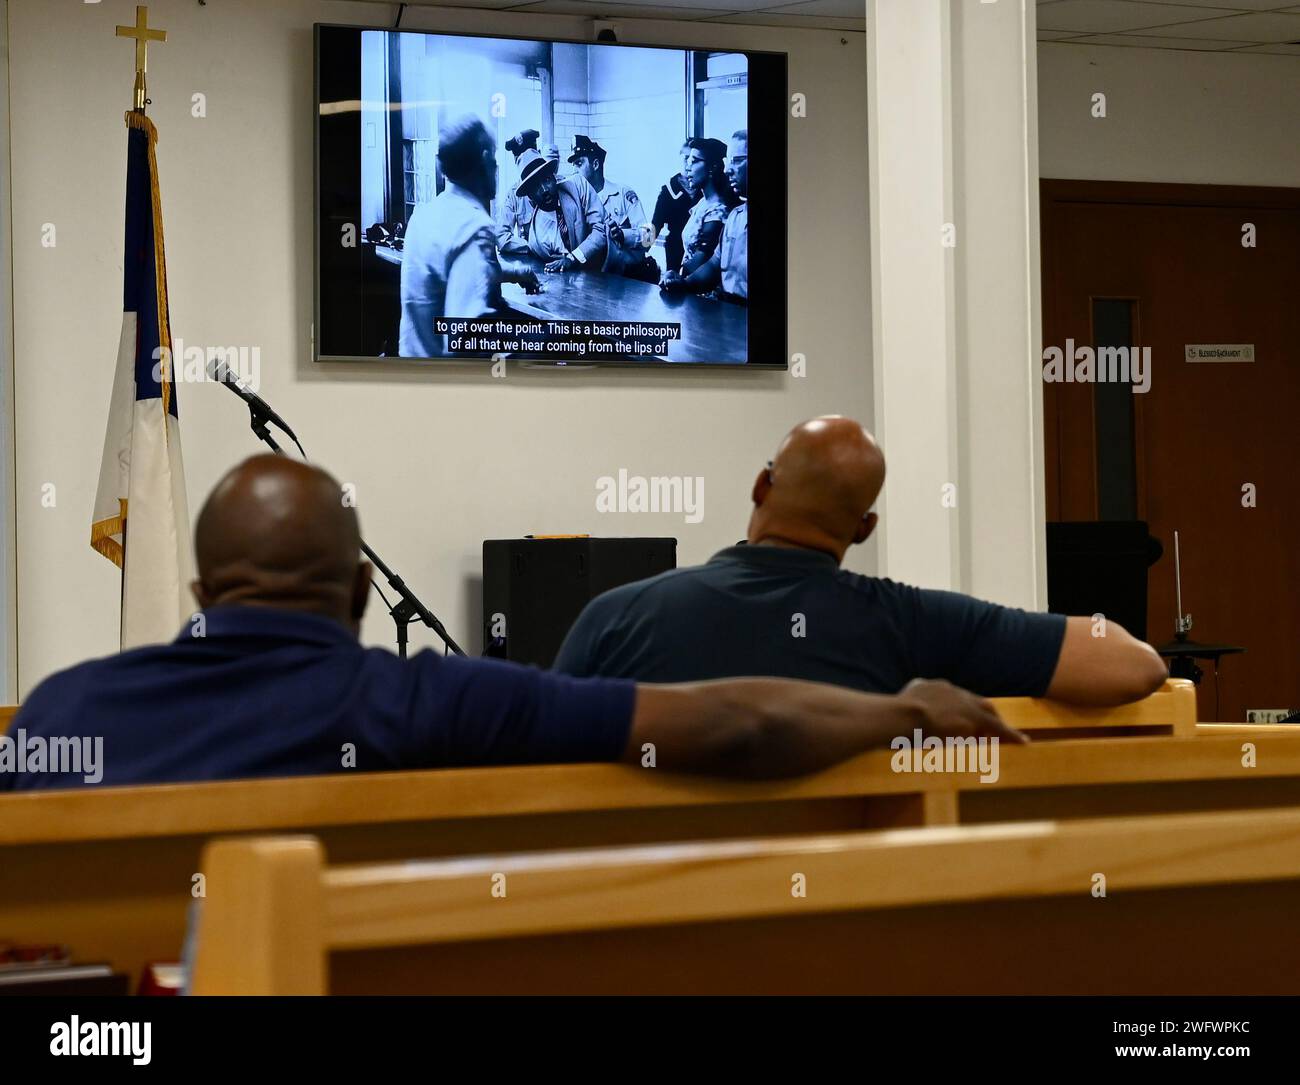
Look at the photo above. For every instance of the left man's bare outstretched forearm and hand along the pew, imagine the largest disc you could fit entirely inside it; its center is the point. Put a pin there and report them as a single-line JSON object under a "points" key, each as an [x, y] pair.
{"points": [[766, 728]]}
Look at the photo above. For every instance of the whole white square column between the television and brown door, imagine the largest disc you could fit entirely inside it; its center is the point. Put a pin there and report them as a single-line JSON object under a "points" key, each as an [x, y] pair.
{"points": [[955, 271]]}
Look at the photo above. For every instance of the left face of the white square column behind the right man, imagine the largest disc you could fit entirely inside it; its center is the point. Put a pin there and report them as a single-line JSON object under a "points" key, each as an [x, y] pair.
{"points": [[912, 298]]}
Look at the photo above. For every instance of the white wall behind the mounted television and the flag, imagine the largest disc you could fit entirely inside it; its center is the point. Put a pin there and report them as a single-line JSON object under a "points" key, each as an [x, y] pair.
{"points": [[441, 458]]}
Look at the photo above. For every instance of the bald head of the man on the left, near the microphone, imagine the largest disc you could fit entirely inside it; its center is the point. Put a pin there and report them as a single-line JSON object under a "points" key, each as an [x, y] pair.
{"points": [[276, 533]]}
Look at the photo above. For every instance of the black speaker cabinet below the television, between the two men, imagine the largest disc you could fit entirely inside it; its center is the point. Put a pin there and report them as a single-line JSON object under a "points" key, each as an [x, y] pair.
{"points": [[535, 589]]}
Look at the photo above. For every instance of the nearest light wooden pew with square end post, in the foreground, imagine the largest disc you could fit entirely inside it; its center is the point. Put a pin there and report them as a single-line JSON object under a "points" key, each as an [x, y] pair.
{"points": [[1194, 905]]}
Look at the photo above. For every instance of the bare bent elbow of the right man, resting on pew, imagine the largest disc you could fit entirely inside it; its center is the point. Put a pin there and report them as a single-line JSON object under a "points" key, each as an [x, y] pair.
{"points": [[1111, 670]]}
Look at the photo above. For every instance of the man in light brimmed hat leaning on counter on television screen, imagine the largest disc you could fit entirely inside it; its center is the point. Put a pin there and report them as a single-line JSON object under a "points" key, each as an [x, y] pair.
{"points": [[567, 229]]}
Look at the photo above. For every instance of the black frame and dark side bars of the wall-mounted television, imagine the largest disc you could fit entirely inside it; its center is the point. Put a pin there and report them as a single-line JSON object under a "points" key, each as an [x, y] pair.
{"points": [[769, 115]]}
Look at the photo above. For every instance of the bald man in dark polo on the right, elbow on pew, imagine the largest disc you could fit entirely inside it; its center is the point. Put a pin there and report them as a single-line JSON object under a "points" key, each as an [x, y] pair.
{"points": [[782, 606]]}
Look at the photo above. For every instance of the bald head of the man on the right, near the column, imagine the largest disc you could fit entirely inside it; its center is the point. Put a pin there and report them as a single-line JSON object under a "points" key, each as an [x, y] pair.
{"points": [[820, 491]]}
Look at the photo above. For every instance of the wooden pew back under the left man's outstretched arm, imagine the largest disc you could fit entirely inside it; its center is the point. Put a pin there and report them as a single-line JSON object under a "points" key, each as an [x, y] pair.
{"points": [[111, 871]]}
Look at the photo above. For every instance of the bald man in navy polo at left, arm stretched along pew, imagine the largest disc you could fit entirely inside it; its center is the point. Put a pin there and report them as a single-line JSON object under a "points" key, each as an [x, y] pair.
{"points": [[270, 680]]}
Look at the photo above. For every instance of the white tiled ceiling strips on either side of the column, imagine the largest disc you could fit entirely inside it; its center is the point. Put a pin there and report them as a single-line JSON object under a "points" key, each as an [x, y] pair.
{"points": [[1249, 27]]}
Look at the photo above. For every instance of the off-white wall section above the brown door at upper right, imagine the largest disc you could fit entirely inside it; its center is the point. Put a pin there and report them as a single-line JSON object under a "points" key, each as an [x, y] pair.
{"points": [[1176, 116]]}
